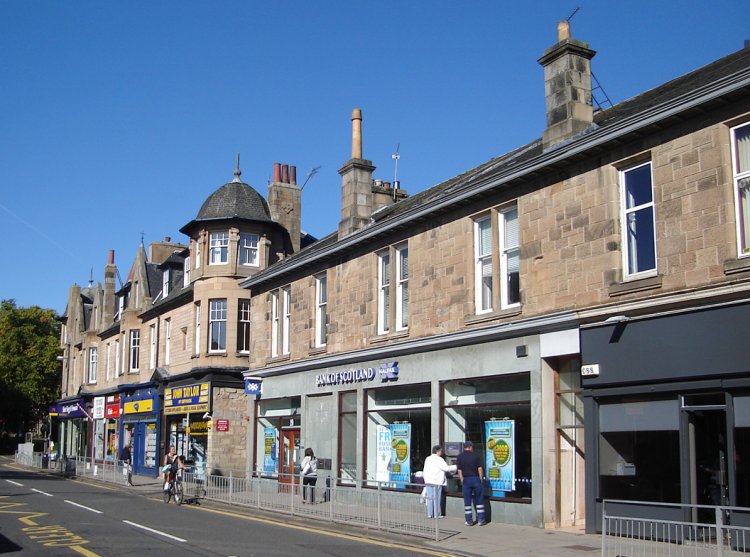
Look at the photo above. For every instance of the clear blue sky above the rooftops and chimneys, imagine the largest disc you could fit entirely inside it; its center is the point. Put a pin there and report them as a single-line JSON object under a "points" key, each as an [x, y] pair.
{"points": [[120, 118]]}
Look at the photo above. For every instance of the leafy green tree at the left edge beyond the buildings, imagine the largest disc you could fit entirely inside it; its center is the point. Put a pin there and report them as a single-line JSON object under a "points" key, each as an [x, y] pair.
{"points": [[29, 370]]}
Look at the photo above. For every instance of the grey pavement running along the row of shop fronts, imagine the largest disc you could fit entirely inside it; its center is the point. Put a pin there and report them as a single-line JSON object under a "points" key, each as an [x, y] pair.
{"points": [[457, 539]]}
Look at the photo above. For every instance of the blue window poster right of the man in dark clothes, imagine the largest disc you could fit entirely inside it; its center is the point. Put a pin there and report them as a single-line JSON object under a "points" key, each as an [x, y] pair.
{"points": [[499, 455]]}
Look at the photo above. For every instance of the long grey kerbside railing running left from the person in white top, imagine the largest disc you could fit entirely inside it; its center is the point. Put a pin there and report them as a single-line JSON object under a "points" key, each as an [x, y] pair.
{"points": [[387, 506]]}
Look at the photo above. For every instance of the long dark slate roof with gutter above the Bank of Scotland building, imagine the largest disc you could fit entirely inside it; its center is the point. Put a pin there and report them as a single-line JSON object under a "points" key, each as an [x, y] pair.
{"points": [[716, 78]]}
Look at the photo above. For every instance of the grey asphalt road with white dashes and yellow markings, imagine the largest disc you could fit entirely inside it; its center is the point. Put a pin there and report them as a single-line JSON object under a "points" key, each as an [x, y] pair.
{"points": [[44, 515]]}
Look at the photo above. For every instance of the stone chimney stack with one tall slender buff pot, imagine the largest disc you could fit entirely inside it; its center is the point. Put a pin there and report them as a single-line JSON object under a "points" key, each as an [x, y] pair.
{"points": [[356, 184]]}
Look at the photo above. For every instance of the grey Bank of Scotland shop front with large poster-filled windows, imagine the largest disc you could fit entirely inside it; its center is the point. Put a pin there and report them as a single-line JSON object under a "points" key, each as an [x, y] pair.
{"points": [[374, 422]]}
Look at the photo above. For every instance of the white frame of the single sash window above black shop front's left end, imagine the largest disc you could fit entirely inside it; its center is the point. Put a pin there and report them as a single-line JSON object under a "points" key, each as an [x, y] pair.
{"points": [[629, 249]]}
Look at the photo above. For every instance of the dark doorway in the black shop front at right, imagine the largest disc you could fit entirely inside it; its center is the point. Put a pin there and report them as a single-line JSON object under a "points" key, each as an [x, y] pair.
{"points": [[707, 461]]}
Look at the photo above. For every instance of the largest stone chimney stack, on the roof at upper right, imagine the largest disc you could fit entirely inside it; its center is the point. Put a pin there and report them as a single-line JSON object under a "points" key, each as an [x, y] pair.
{"points": [[567, 85]]}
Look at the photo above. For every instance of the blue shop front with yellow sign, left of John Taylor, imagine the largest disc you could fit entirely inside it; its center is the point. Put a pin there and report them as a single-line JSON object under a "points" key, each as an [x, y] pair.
{"points": [[140, 425]]}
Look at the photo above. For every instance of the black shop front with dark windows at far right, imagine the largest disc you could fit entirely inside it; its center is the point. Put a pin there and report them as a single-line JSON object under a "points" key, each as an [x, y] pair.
{"points": [[668, 402]]}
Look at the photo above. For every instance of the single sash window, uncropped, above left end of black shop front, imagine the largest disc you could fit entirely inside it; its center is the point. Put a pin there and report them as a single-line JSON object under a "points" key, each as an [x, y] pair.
{"points": [[638, 238]]}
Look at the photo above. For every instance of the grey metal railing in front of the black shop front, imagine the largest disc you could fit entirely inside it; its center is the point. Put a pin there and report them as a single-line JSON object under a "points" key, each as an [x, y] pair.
{"points": [[682, 530]]}
